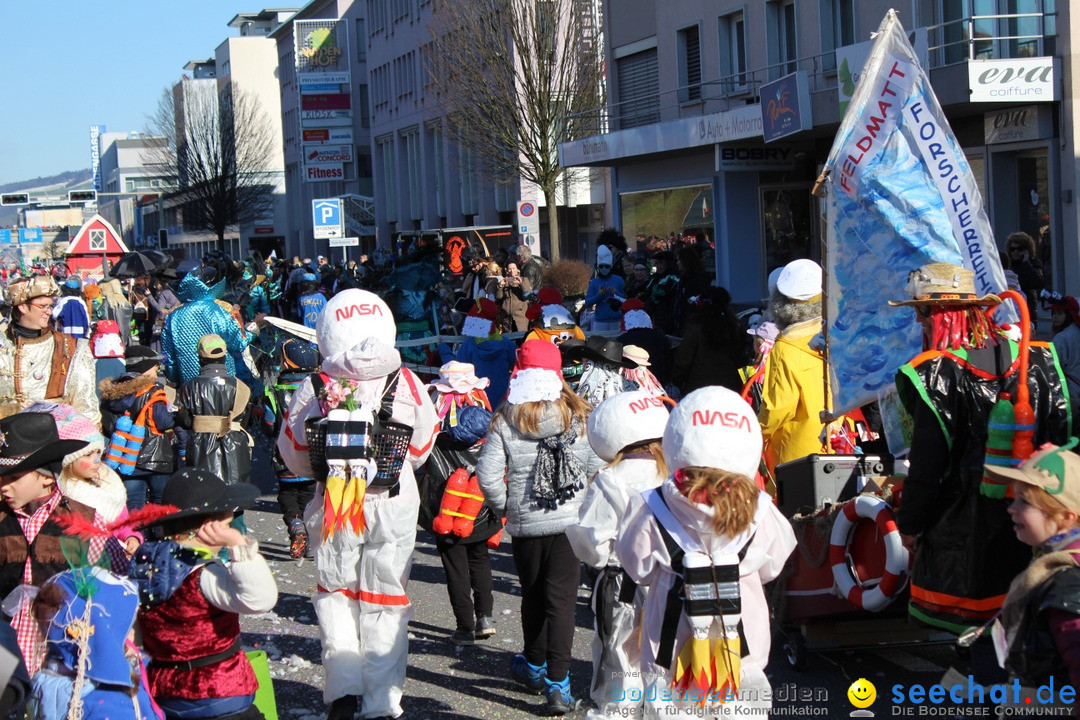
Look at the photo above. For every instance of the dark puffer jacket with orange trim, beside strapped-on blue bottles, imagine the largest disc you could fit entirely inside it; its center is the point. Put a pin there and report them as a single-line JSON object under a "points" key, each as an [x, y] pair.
{"points": [[131, 396]]}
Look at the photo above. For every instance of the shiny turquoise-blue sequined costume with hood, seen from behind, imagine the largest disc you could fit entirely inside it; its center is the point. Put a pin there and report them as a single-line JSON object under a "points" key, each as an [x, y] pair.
{"points": [[200, 316]]}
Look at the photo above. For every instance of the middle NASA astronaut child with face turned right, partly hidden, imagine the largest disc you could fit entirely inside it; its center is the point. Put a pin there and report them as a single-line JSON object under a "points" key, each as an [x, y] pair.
{"points": [[625, 431]]}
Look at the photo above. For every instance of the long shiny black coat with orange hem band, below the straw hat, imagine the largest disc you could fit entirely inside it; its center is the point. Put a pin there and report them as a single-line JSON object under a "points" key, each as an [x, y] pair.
{"points": [[967, 553]]}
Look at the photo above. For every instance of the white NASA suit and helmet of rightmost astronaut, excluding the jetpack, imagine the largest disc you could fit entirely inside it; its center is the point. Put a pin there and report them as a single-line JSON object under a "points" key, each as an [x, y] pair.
{"points": [[711, 428]]}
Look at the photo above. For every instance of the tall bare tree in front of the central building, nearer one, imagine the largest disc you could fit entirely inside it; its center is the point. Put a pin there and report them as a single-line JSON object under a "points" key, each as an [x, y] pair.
{"points": [[509, 74]]}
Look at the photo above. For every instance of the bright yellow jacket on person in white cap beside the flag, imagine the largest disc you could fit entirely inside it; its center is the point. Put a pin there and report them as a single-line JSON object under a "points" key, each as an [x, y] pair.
{"points": [[793, 397]]}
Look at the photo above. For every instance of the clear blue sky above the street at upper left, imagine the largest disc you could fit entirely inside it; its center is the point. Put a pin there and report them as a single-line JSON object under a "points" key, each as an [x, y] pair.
{"points": [[71, 64]]}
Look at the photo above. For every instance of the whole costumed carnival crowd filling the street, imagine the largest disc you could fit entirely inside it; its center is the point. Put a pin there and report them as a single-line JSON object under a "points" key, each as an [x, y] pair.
{"points": [[127, 407]]}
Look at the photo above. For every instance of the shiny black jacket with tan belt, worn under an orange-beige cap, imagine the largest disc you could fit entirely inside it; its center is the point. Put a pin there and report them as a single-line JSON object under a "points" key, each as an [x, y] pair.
{"points": [[213, 393]]}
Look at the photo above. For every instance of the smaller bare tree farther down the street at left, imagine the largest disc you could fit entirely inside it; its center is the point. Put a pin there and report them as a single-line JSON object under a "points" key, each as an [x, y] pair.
{"points": [[219, 148]]}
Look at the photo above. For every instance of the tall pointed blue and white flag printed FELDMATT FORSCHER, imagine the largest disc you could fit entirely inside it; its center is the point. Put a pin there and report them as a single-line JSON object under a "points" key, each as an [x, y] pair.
{"points": [[900, 194]]}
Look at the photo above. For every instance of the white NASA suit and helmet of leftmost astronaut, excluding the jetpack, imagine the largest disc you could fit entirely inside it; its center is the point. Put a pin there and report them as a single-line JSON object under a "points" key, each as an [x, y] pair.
{"points": [[361, 603]]}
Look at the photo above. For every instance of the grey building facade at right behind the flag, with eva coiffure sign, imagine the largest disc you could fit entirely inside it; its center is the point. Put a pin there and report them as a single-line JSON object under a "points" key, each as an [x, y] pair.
{"points": [[683, 135]]}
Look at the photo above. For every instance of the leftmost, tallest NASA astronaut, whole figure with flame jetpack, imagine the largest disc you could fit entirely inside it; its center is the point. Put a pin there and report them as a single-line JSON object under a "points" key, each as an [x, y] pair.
{"points": [[364, 518]]}
